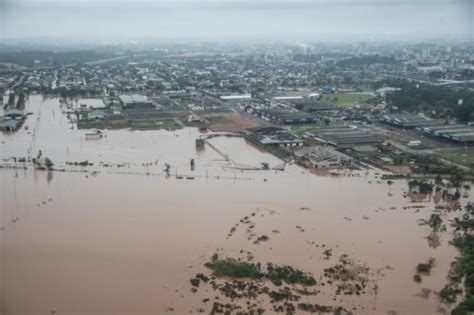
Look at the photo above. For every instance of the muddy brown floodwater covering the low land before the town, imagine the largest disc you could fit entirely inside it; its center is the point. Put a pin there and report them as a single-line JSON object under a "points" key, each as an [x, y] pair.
{"points": [[125, 238]]}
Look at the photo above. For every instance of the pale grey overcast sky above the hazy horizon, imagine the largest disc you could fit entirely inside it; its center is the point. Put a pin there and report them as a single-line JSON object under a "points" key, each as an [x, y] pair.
{"points": [[237, 19]]}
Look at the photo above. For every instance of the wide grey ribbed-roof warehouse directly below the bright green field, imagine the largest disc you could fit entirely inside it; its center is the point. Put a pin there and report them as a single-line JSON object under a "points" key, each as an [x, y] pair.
{"points": [[346, 137]]}
